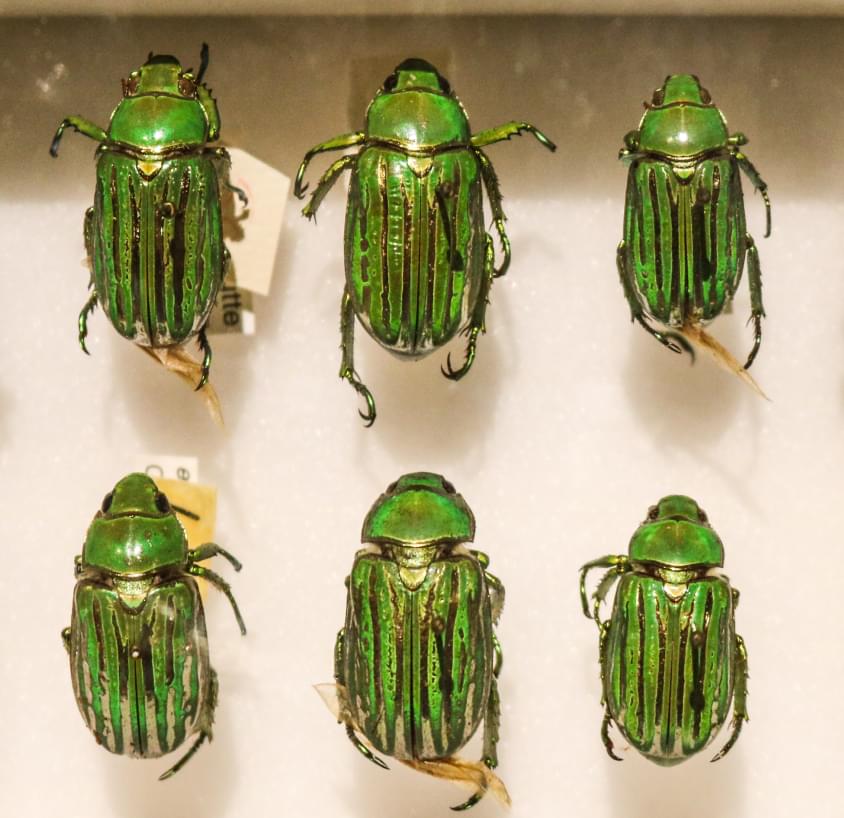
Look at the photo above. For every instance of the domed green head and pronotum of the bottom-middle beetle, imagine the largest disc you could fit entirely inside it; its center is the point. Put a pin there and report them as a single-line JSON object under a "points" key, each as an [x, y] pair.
{"points": [[419, 510]]}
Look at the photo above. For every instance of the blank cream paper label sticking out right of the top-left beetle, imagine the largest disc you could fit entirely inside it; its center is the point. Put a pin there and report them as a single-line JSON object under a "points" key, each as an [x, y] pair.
{"points": [[252, 233]]}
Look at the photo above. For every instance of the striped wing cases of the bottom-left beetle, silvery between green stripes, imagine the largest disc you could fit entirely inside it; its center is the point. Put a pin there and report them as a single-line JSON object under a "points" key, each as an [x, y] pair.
{"points": [[141, 675]]}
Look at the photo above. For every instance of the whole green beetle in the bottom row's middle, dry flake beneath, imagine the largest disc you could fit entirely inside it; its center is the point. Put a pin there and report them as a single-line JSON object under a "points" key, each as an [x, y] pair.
{"points": [[417, 661]]}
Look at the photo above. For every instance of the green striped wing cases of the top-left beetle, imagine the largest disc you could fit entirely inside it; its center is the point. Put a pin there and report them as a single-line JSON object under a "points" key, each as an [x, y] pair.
{"points": [[155, 243]]}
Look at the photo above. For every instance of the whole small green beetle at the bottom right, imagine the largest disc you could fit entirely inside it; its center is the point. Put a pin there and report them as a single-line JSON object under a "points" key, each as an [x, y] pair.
{"points": [[671, 660]]}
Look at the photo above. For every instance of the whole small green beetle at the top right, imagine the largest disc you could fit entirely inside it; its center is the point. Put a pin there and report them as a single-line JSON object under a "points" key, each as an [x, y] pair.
{"points": [[685, 238]]}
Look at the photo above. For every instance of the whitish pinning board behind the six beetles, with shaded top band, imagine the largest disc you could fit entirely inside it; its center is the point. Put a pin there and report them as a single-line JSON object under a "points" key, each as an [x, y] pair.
{"points": [[572, 422]]}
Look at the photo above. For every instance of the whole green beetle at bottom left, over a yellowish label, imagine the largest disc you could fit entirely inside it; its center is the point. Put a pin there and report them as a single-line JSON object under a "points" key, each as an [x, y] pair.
{"points": [[137, 641]]}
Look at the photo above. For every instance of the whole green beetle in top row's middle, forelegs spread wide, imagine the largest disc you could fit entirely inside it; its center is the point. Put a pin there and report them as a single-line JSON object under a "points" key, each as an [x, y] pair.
{"points": [[419, 263]]}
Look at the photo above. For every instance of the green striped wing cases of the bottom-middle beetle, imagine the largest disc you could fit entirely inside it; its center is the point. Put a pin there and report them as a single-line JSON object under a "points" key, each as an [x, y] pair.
{"points": [[418, 663]]}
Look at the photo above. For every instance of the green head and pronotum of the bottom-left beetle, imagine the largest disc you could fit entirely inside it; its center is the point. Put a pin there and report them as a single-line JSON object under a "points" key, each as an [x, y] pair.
{"points": [[135, 531]]}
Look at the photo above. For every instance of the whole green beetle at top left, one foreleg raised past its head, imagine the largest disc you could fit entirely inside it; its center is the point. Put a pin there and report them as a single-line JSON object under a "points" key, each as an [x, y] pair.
{"points": [[155, 233]]}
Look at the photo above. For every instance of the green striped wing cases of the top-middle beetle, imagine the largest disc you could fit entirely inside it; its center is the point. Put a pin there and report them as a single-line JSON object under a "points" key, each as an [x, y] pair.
{"points": [[414, 255]]}
